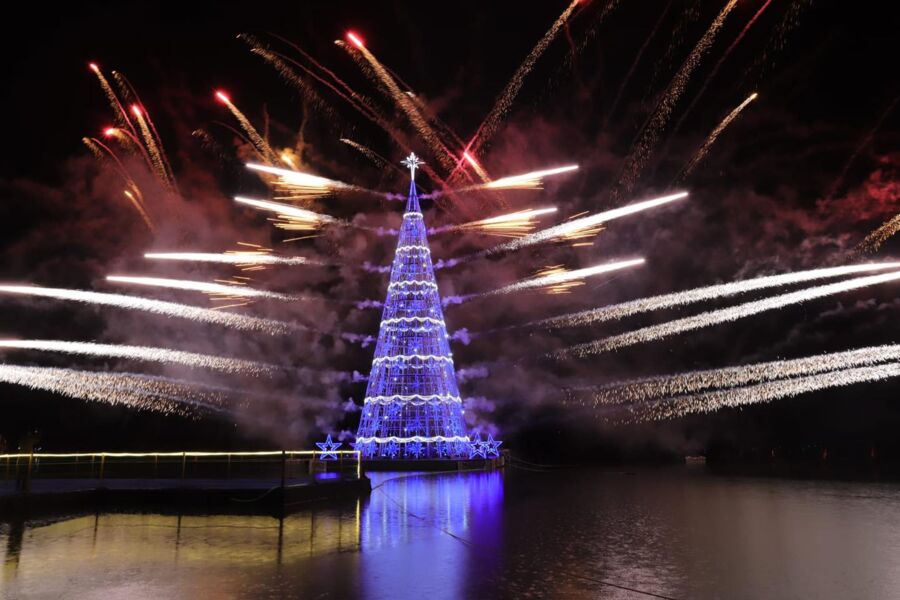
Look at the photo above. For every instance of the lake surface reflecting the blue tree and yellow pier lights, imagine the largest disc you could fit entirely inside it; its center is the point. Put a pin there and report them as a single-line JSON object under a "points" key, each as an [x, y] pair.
{"points": [[675, 532]]}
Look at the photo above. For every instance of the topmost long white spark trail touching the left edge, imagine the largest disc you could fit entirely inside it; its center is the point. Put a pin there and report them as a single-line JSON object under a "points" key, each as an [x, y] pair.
{"points": [[168, 309]]}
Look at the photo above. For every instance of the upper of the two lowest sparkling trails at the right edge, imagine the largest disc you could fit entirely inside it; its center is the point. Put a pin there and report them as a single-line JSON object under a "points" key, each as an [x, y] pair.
{"points": [[651, 388]]}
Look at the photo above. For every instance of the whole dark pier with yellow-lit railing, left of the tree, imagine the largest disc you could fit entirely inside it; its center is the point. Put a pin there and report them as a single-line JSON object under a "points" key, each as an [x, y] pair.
{"points": [[269, 482]]}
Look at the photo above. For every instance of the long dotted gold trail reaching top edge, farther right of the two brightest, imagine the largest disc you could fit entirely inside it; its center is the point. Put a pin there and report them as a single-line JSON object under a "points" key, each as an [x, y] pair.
{"points": [[652, 129]]}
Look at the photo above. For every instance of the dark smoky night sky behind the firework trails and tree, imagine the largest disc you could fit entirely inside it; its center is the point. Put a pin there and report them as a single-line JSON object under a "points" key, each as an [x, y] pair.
{"points": [[796, 182]]}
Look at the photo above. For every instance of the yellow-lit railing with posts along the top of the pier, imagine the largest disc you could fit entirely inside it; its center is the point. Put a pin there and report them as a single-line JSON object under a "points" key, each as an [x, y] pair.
{"points": [[286, 466]]}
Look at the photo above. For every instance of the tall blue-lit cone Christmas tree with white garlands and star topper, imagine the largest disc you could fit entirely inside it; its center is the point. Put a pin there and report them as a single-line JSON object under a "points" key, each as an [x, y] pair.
{"points": [[412, 408]]}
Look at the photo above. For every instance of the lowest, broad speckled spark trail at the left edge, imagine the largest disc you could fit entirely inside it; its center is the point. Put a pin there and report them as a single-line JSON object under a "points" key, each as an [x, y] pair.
{"points": [[143, 393]]}
